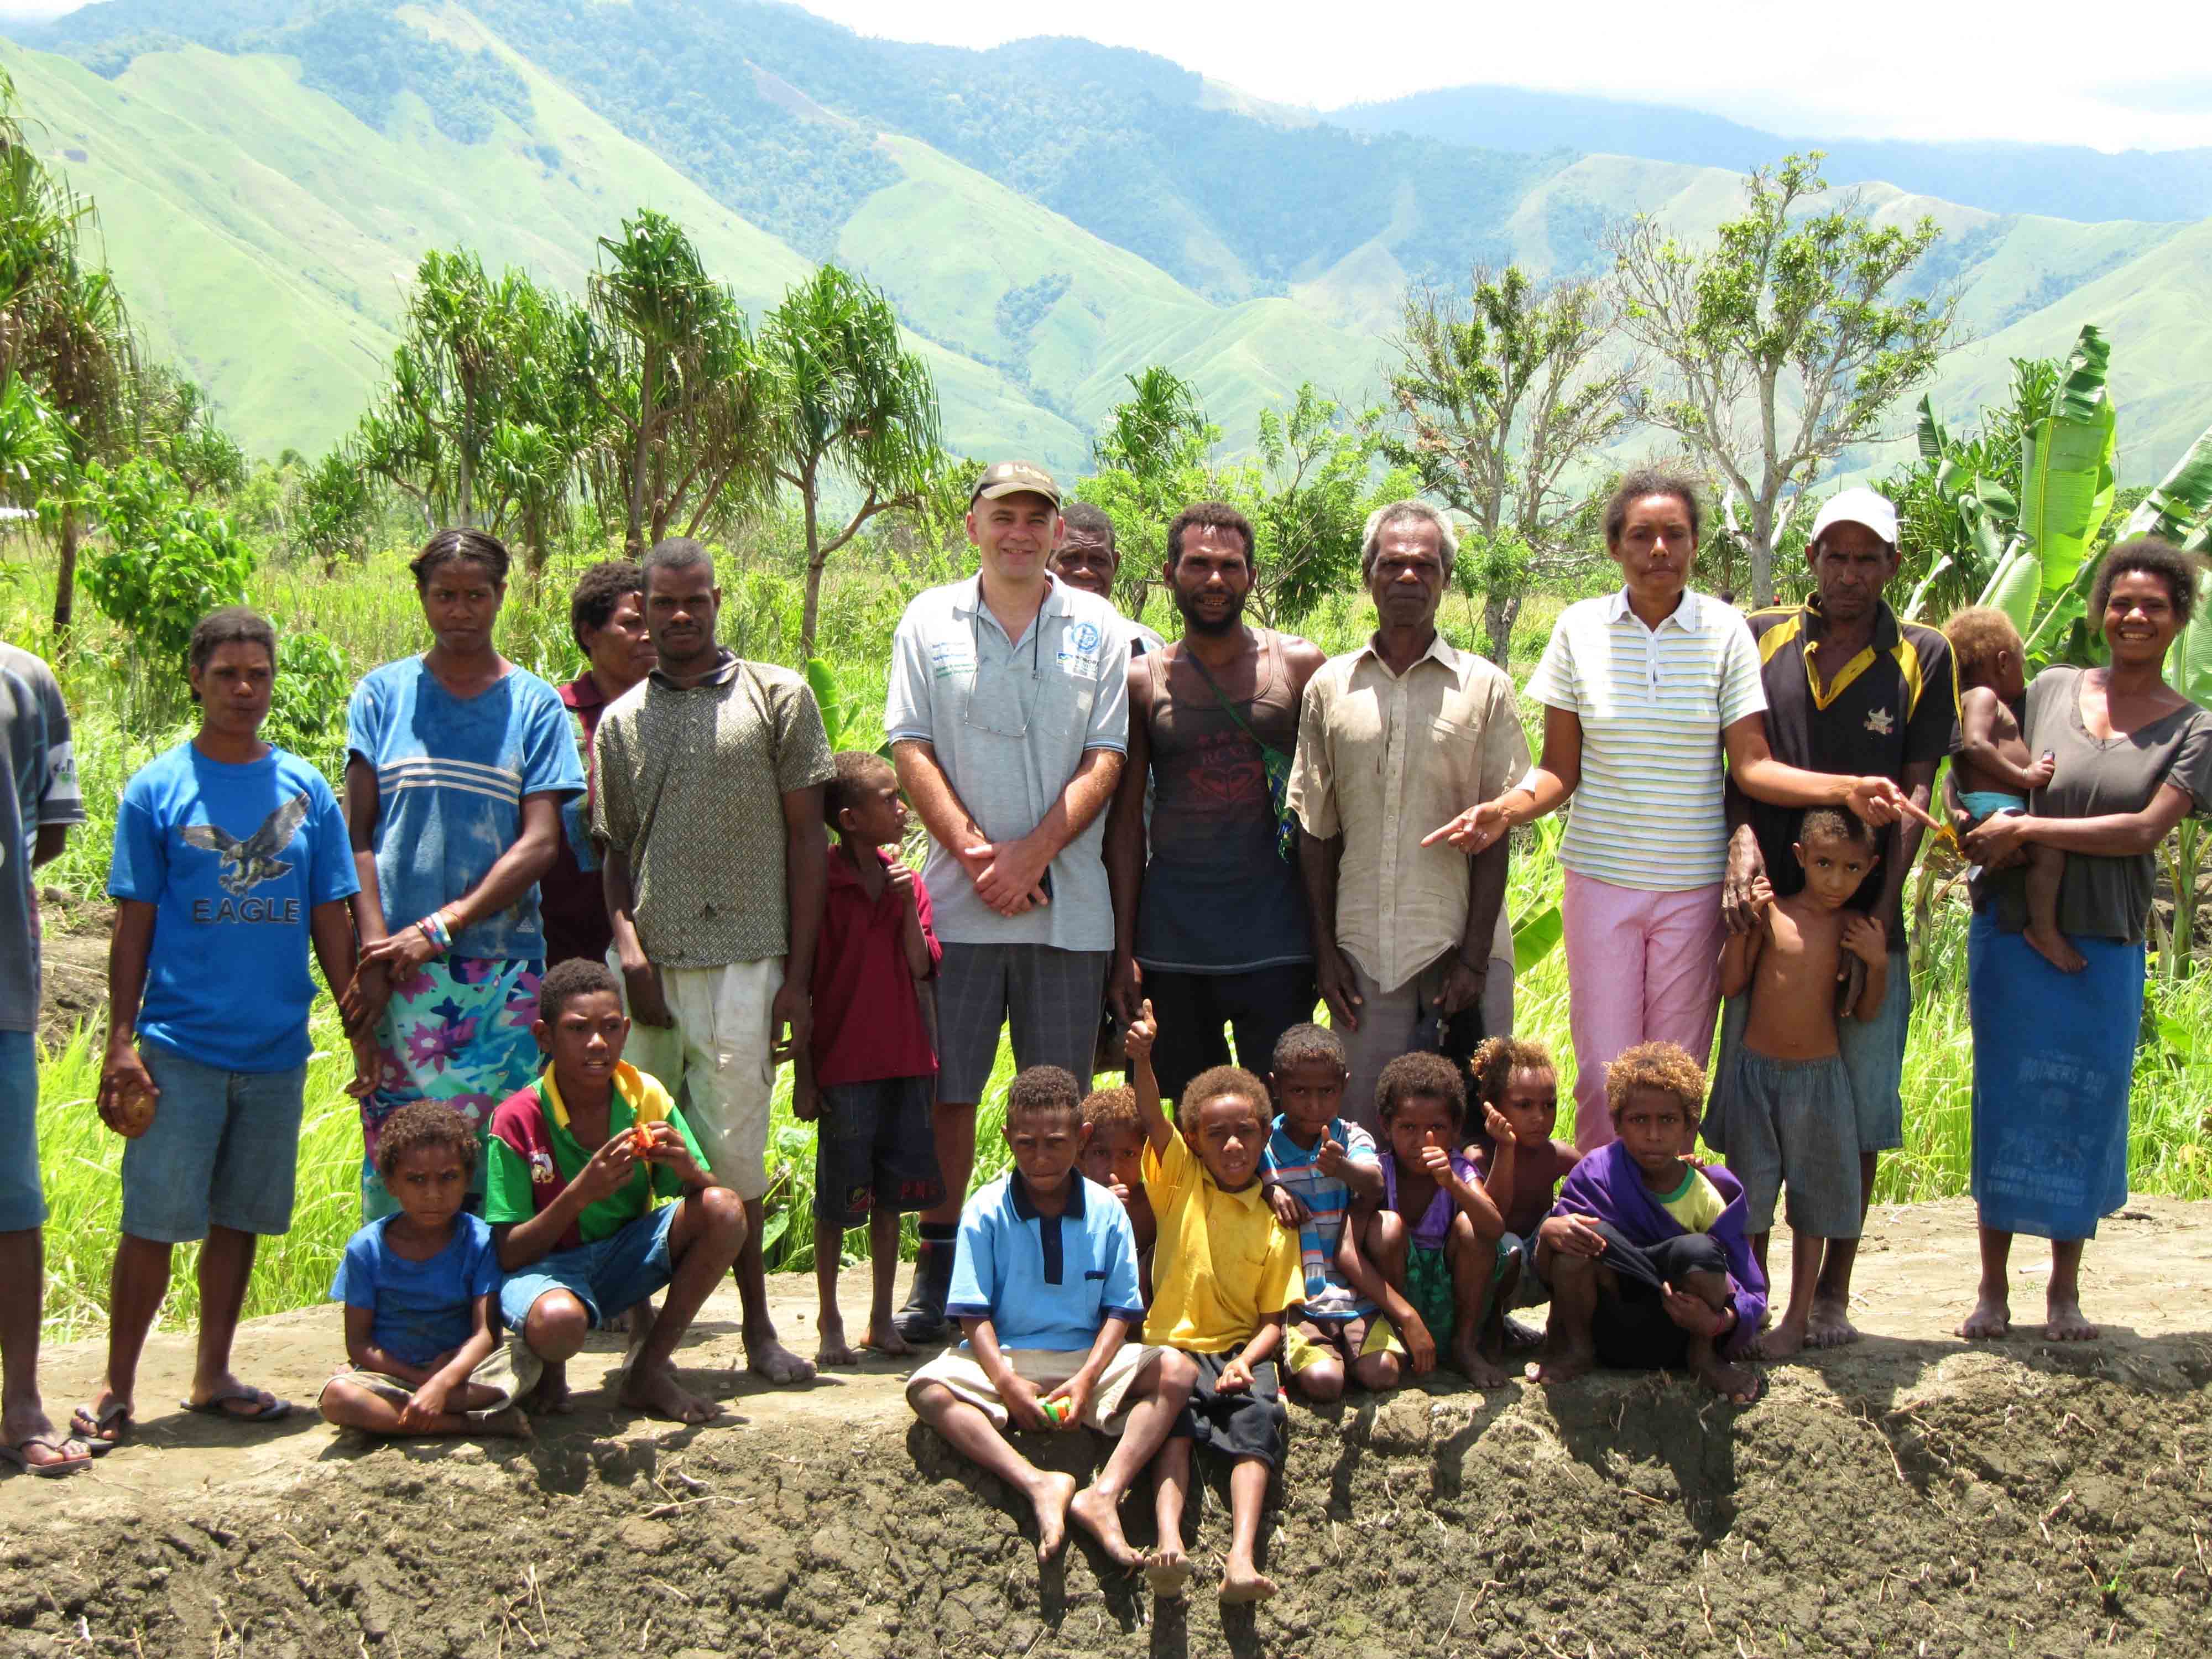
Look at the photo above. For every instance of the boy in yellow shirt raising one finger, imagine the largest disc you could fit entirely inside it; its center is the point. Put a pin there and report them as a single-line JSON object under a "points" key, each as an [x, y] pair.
{"points": [[1224, 1275]]}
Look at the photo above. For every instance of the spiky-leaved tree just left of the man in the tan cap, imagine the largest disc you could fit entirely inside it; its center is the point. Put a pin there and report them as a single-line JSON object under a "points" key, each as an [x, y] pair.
{"points": [[853, 406]]}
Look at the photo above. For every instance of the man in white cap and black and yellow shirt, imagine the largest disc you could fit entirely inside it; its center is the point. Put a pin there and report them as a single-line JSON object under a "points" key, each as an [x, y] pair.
{"points": [[1850, 689]]}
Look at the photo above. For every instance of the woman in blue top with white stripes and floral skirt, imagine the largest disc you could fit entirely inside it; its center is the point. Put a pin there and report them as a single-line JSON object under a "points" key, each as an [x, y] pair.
{"points": [[455, 778]]}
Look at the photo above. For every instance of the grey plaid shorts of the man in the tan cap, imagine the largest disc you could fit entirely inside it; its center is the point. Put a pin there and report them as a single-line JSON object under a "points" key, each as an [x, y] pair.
{"points": [[1047, 999]]}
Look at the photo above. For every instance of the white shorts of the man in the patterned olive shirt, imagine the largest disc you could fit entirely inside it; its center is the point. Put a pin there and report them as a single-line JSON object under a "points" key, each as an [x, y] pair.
{"points": [[713, 1061]]}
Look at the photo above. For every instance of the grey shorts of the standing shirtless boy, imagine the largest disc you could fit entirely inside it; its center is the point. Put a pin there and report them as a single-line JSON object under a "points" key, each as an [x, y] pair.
{"points": [[1791, 1123]]}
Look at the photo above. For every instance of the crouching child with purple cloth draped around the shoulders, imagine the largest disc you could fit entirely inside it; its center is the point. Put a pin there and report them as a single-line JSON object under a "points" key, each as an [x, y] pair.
{"points": [[1647, 1255]]}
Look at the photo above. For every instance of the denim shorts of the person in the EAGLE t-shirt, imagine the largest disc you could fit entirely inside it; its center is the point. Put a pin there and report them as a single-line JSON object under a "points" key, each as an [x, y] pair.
{"points": [[222, 1151]]}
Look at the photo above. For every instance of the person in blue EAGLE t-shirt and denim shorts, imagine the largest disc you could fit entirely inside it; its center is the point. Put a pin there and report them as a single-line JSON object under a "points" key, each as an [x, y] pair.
{"points": [[231, 859]]}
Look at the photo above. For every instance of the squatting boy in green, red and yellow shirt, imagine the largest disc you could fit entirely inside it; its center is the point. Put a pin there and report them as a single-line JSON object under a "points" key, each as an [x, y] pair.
{"points": [[583, 1165]]}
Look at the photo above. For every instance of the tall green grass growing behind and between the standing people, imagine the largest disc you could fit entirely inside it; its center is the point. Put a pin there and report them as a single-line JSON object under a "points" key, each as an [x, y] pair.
{"points": [[373, 616]]}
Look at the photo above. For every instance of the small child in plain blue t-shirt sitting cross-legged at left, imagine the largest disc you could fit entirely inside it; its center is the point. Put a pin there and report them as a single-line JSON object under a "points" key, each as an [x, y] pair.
{"points": [[421, 1295]]}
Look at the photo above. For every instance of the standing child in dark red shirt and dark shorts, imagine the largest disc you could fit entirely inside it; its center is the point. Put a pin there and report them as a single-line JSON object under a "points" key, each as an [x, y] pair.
{"points": [[868, 1078]]}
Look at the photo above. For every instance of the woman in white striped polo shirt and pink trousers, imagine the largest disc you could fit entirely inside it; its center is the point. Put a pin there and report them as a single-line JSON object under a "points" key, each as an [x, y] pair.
{"points": [[1642, 693]]}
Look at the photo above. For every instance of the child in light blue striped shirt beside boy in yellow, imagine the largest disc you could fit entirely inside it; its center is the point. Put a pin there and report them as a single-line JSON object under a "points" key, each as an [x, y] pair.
{"points": [[1317, 1165]]}
